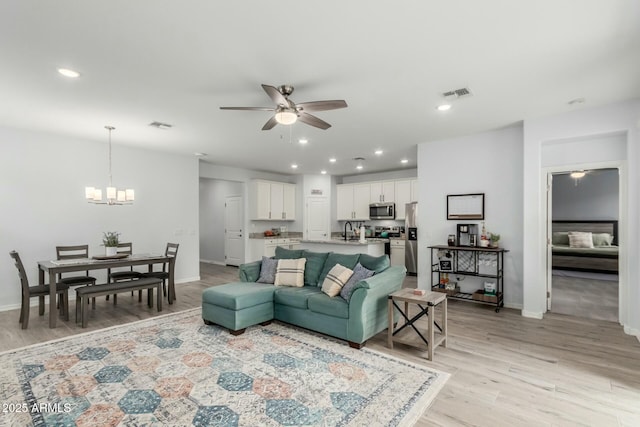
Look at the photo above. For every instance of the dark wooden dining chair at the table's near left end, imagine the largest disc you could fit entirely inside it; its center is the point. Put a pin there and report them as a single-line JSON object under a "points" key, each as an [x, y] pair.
{"points": [[39, 291]]}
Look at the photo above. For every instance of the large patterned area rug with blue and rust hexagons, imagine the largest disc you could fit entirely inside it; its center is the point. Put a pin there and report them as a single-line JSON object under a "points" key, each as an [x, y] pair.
{"points": [[174, 370]]}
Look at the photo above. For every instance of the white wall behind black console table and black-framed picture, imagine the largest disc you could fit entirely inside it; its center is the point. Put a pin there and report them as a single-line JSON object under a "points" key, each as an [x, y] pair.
{"points": [[489, 163]]}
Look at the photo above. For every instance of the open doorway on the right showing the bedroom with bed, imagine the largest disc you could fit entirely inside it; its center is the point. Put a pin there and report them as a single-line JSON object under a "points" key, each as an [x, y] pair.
{"points": [[583, 208]]}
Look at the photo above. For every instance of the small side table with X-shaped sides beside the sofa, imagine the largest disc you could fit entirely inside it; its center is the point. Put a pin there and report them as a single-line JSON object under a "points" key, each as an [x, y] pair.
{"points": [[427, 304]]}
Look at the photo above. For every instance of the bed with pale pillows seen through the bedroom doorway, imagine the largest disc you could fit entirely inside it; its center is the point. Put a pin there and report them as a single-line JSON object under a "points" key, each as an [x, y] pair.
{"points": [[602, 257]]}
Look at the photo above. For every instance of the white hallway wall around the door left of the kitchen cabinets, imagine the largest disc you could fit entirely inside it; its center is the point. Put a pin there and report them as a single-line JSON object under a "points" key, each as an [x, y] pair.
{"points": [[213, 194]]}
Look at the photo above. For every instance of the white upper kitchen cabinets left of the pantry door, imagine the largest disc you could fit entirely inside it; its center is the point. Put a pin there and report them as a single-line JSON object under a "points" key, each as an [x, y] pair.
{"points": [[270, 200]]}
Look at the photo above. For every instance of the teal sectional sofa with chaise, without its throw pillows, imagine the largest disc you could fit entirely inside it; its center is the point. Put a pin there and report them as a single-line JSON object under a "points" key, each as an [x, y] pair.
{"points": [[239, 305]]}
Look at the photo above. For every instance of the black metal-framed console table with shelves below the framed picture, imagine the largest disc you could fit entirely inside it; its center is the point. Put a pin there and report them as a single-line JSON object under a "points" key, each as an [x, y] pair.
{"points": [[469, 261]]}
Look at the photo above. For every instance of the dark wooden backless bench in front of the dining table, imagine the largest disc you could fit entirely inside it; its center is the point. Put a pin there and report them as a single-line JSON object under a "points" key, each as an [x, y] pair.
{"points": [[85, 292]]}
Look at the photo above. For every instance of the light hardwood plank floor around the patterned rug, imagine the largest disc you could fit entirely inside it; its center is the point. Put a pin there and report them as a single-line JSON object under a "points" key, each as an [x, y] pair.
{"points": [[506, 370]]}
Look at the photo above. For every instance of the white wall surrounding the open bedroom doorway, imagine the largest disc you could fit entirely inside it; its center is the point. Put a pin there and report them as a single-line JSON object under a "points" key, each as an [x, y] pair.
{"points": [[585, 124]]}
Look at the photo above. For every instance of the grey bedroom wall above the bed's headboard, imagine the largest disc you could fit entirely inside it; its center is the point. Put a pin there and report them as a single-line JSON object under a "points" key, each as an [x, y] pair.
{"points": [[595, 197]]}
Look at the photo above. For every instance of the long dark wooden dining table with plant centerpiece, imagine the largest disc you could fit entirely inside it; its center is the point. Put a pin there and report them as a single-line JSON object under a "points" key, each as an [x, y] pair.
{"points": [[55, 267]]}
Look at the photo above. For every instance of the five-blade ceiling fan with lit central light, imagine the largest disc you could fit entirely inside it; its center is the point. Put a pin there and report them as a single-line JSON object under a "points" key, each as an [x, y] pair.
{"points": [[288, 112]]}
